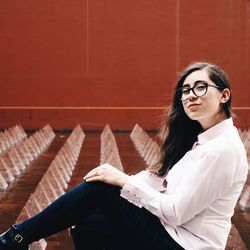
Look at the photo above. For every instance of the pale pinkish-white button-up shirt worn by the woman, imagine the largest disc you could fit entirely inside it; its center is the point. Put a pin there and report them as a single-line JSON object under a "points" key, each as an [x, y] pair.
{"points": [[196, 200]]}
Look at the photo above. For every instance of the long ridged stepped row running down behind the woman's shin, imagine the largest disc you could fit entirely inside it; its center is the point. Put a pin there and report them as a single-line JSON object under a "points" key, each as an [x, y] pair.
{"points": [[55, 180]]}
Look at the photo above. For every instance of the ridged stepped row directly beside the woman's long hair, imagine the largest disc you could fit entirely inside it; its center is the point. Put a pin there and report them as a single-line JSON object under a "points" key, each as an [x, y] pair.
{"points": [[147, 147]]}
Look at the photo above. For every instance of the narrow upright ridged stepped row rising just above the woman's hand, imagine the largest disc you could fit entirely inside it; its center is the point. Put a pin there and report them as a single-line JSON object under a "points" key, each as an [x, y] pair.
{"points": [[109, 150]]}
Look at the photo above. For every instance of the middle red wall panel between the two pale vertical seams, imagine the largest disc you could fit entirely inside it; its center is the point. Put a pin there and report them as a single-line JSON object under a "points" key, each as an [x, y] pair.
{"points": [[132, 57]]}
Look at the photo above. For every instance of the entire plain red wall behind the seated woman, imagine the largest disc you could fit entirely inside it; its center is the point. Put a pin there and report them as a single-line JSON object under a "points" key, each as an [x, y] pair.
{"points": [[112, 61]]}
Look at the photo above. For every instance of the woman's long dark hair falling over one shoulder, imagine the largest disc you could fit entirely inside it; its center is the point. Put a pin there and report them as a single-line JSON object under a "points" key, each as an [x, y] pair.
{"points": [[180, 131]]}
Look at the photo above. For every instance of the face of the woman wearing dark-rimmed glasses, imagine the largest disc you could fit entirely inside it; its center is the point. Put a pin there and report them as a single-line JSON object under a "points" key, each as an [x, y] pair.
{"points": [[204, 109]]}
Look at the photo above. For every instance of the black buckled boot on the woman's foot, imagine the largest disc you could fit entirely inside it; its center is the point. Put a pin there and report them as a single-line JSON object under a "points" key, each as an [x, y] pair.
{"points": [[12, 240]]}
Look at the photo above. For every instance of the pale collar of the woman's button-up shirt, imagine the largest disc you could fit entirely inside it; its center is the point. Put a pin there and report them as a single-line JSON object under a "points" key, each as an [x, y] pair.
{"points": [[215, 131]]}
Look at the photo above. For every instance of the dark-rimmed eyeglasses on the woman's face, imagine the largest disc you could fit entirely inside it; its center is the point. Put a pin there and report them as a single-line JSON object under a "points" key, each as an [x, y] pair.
{"points": [[199, 89]]}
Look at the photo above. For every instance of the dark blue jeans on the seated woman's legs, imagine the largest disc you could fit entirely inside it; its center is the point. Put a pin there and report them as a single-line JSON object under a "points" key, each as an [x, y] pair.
{"points": [[119, 220]]}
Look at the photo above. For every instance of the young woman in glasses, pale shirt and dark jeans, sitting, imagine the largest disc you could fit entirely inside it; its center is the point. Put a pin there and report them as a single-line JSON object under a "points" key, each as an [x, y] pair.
{"points": [[185, 201]]}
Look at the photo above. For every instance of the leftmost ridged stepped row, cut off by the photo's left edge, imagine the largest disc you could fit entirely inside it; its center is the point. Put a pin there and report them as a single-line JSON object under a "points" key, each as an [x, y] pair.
{"points": [[10, 137]]}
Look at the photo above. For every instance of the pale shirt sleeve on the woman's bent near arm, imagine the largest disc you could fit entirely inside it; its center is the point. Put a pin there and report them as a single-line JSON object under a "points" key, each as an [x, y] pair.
{"points": [[209, 178]]}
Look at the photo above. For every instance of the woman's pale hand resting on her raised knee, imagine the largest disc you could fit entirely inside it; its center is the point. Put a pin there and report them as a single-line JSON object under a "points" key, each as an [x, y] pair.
{"points": [[108, 174]]}
